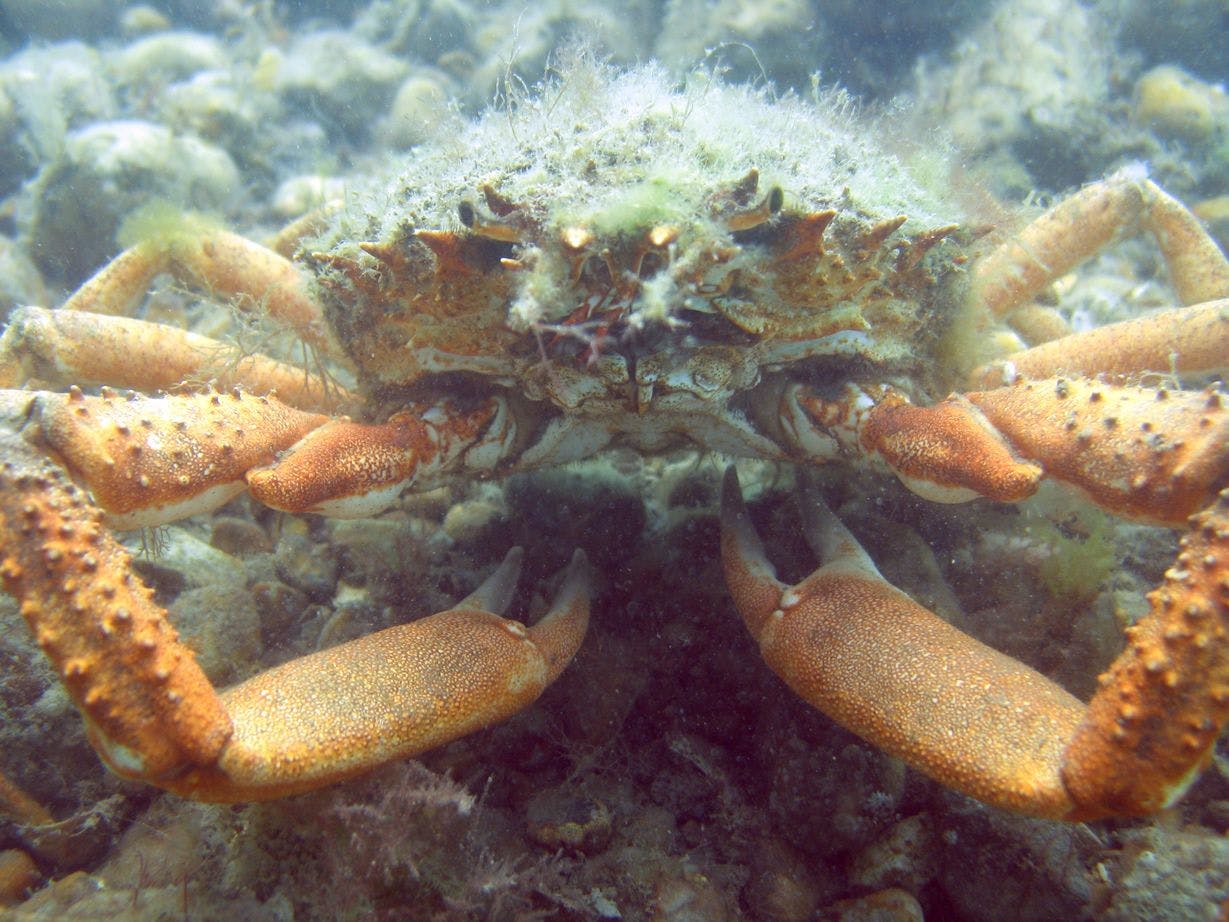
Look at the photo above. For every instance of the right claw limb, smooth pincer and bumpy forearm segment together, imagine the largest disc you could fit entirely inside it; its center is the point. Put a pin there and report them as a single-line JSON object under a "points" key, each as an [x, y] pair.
{"points": [[976, 721]]}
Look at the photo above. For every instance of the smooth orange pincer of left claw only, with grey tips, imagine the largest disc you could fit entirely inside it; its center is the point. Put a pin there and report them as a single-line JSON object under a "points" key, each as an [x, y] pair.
{"points": [[395, 694]]}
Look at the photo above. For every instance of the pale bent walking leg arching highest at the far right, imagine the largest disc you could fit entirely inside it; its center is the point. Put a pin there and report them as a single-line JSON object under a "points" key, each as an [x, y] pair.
{"points": [[1083, 224]]}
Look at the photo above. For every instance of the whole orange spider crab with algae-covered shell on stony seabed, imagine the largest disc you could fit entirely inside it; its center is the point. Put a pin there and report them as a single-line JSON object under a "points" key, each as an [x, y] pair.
{"points": [[567, 276]]}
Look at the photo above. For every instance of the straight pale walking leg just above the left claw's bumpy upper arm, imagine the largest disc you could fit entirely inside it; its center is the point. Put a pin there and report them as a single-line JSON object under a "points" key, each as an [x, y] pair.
{"points": [[63, 347]]}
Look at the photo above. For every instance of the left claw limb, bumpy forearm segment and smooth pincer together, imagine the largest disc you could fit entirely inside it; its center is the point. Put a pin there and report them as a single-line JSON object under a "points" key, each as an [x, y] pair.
{"points": [[153, 715]]}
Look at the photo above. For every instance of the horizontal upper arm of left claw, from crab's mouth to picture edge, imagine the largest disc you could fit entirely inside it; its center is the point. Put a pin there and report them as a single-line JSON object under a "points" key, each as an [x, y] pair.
{"points": [[152, 460]]}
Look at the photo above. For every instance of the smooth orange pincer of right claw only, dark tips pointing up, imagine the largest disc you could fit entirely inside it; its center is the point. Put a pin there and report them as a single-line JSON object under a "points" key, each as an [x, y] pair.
{"points": [[878, 663]]}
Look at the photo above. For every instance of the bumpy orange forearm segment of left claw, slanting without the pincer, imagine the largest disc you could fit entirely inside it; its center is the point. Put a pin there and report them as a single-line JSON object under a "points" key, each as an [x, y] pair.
{"points": [[146, 701]]}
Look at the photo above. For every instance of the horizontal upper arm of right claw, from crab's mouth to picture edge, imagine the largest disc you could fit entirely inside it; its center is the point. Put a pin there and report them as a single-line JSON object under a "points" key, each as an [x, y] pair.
{"points": [[1150, 454]]}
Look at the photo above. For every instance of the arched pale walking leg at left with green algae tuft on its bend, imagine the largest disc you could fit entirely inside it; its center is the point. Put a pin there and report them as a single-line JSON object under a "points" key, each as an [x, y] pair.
{"points": [[223, 264]]}
